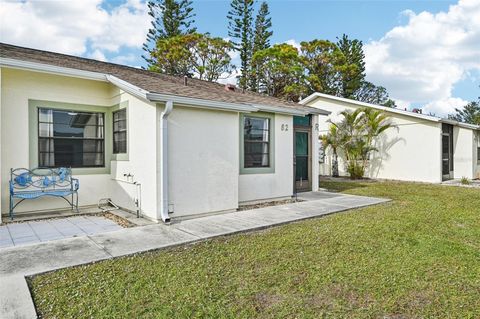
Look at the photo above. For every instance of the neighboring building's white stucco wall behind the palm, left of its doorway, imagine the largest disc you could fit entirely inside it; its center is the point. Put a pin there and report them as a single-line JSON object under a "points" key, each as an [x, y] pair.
{"points": [[410, 152]]}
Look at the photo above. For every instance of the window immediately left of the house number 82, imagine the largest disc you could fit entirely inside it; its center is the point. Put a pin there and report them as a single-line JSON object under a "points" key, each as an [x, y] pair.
{"points": [[256, 140]]}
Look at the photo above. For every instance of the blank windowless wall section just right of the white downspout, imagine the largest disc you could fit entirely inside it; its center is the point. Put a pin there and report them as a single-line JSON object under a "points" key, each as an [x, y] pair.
{"points": [[203, 156]]}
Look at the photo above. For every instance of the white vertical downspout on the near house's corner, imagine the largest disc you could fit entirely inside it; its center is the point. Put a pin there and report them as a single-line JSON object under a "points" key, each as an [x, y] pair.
{"points": [[164, 161]]}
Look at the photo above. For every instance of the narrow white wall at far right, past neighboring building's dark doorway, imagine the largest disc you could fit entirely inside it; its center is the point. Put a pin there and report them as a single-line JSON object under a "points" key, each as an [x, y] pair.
{"points": [[465, 145]]}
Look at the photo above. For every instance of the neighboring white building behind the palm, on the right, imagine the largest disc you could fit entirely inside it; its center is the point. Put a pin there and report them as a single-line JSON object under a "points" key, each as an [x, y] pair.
{"points": [[421, 148]]}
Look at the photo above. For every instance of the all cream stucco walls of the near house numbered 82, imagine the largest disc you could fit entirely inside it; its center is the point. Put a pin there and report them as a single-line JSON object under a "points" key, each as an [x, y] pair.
{"points": [[203, 150]]}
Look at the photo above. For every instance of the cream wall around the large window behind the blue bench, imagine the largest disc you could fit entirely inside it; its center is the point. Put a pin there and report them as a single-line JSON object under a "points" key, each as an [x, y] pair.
{"points": [[18, 87]]}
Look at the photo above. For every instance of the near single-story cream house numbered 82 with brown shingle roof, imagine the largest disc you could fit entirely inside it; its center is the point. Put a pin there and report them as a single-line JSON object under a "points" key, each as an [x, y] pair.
{"points": [[173, 146]]}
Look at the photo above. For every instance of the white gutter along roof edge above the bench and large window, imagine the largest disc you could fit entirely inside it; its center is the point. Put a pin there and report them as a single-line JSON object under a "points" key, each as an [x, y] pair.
{"points": [[47, 68]]}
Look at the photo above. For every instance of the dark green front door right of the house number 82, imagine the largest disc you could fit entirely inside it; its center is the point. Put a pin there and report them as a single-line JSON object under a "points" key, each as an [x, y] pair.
{"points": [[302, 160]]}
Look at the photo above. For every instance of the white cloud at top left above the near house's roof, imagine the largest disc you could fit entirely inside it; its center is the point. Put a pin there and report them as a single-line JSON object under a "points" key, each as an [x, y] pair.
{"points": [[70, 26]]}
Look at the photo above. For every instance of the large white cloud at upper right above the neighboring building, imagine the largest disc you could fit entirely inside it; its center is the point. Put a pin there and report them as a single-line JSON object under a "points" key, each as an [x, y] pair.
{"points": [[421, 62]]}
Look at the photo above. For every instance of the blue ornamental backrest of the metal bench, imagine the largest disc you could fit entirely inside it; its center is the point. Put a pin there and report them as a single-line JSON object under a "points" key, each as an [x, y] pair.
{"points": [[40, 179]]}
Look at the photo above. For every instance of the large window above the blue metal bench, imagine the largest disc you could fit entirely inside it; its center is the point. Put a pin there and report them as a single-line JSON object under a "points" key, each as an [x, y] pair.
{"points": [[70, 138]]}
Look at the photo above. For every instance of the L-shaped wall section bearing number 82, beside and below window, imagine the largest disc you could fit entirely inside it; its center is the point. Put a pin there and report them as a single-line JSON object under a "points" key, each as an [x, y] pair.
{"points": [[253, 187]]}
